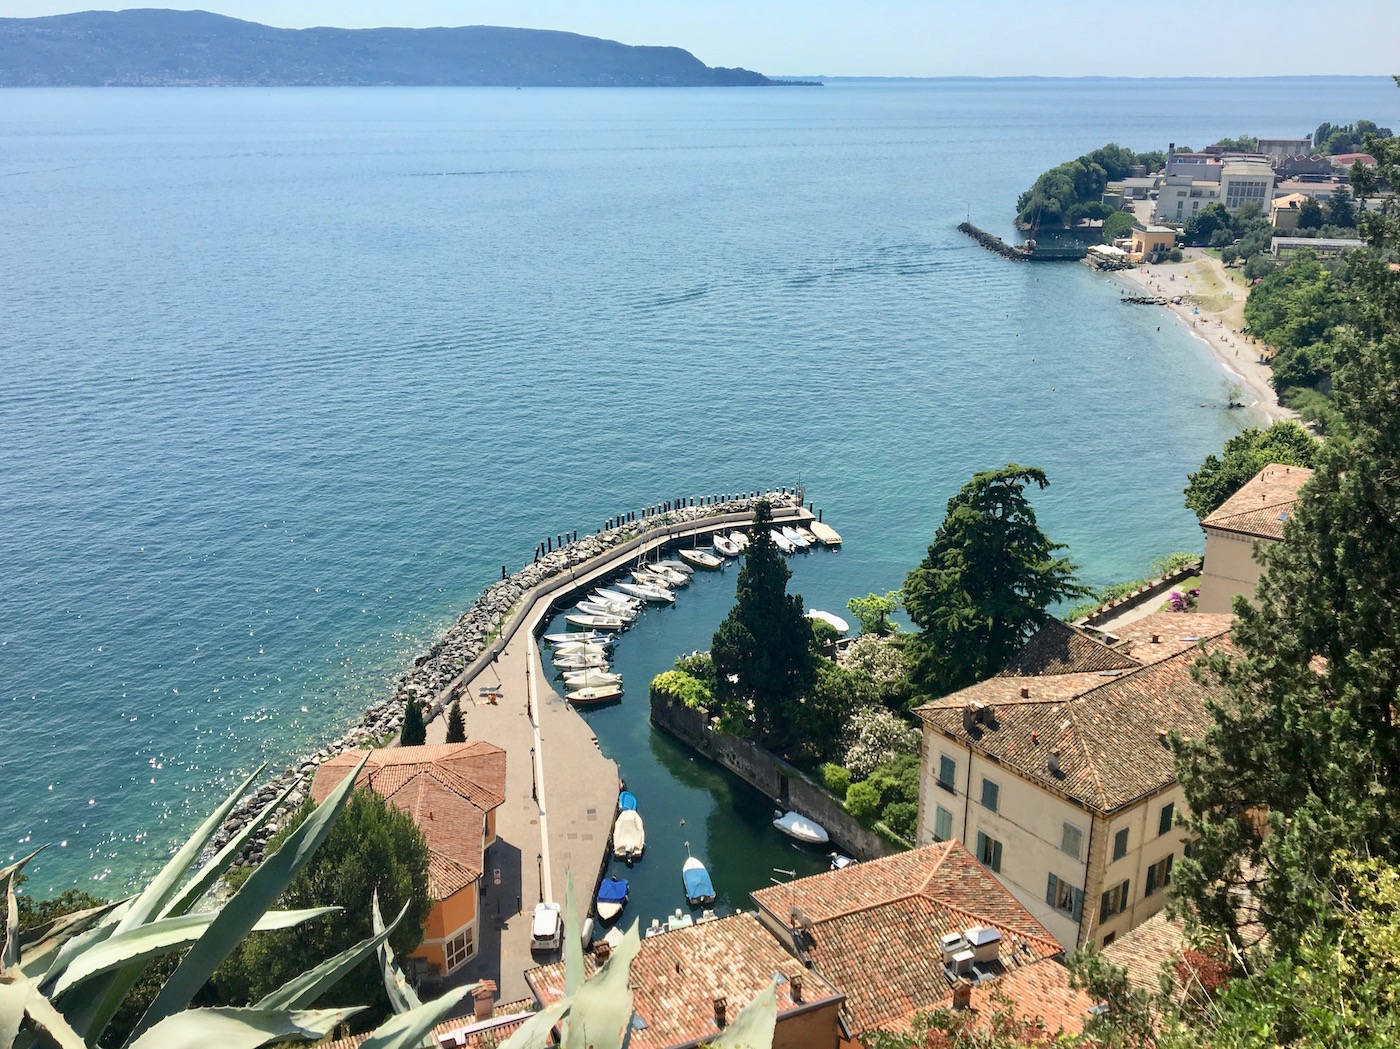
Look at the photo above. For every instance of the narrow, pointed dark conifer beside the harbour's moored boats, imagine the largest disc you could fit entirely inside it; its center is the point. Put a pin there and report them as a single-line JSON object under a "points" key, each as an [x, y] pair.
{"points": [[762, 652]]}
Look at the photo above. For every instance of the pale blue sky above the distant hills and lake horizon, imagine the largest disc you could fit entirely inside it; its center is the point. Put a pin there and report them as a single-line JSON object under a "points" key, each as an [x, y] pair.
{"points": [[913, 39]]}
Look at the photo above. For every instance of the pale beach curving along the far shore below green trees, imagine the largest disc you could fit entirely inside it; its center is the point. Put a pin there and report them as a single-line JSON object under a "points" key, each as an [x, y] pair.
{"points": [[1220, 299]]}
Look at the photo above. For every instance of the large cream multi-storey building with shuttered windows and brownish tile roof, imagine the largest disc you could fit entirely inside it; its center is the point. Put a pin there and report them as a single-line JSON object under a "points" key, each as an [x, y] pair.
{"points": [[1059, 774]]}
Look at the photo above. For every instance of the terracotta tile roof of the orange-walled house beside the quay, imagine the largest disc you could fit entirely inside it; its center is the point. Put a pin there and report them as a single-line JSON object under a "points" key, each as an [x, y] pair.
{"points": [[447, 789]]}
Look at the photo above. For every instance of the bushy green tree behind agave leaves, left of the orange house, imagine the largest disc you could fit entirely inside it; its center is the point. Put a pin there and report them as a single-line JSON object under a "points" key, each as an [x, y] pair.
{"points": [[373, 848]]}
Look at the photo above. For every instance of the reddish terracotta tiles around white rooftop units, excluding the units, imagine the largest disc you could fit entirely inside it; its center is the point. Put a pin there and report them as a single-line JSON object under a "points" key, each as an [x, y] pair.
{"points": [[874, 929]]}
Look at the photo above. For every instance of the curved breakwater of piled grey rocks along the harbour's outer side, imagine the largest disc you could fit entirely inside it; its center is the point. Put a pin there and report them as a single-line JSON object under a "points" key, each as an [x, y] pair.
{"points": [[430, 679]]}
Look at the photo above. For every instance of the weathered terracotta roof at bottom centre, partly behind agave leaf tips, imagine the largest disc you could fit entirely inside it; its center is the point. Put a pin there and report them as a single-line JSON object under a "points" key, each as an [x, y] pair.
{"points": [[675, 975]]}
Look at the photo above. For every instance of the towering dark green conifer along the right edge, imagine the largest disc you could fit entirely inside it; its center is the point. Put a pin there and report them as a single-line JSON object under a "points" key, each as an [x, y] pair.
{"points": [[1303, 764]]}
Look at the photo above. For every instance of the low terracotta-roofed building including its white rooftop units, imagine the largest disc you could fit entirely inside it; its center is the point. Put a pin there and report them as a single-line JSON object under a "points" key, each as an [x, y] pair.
{"points": [[922, 931]]}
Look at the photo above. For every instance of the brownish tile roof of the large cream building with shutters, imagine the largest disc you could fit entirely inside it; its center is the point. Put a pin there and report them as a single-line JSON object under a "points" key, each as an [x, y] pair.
{"points": [[1104, 729]]}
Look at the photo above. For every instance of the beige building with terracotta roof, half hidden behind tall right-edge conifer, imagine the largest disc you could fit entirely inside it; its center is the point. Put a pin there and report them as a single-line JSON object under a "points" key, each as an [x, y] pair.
{"points": [[1254, 515]]}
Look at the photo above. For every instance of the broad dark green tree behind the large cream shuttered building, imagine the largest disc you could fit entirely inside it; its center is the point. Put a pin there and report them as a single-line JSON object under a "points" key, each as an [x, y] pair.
{"points": [[986, 583]]}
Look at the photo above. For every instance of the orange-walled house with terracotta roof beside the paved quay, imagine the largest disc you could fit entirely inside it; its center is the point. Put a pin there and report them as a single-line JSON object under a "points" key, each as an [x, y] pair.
{"points": [[451, 791]]}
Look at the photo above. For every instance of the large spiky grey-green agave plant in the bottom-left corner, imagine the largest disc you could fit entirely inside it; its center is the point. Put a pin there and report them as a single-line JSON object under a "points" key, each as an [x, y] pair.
{"points": [[61, 984]]}
